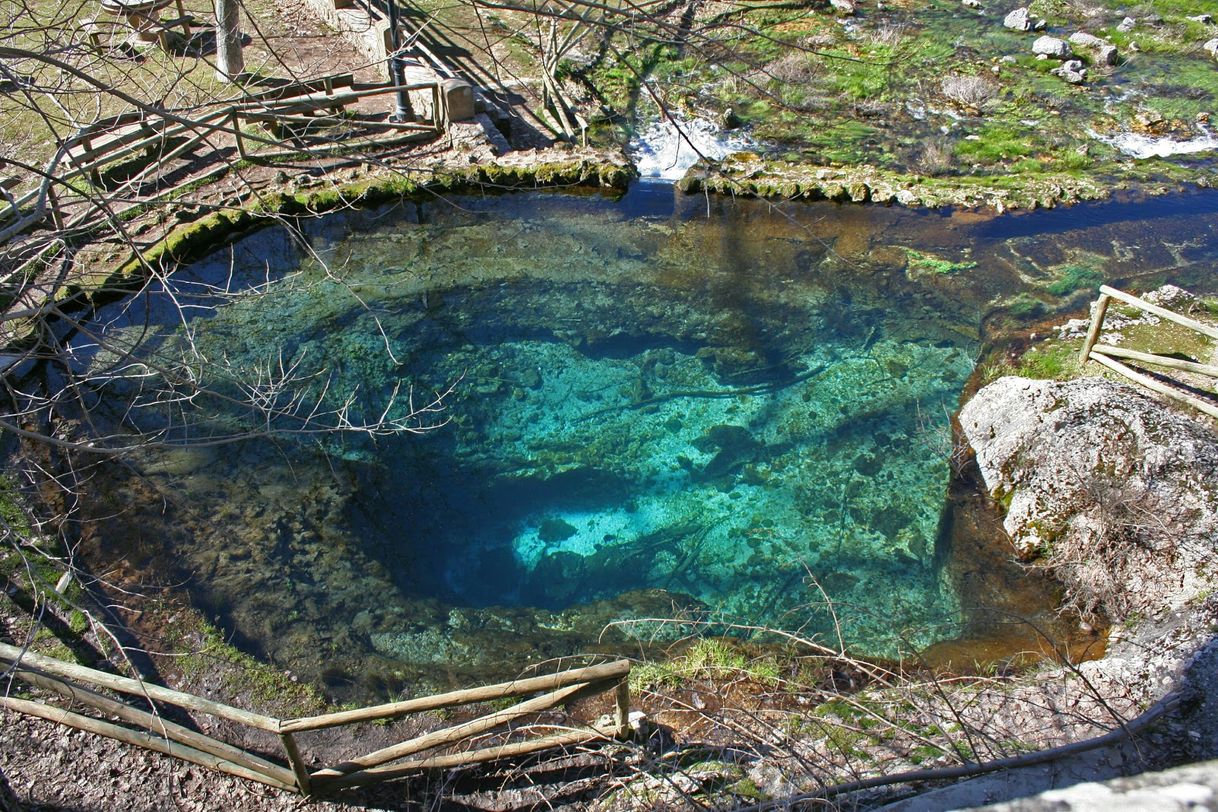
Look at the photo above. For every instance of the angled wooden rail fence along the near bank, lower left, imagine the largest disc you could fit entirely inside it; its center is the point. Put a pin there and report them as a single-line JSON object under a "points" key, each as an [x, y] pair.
{"points": [[149, 729]]}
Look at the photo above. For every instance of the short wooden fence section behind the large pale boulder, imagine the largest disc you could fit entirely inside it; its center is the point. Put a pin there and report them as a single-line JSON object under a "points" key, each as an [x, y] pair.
{"points": [[1108, 355]]}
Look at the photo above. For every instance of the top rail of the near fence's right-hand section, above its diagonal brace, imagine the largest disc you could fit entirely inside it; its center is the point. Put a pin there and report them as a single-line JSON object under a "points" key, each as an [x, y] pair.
{"points": [[617, 670]]}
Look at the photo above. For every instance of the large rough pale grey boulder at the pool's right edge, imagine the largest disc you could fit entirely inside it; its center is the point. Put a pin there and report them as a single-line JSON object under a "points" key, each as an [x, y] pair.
{"points": [[1111, 490]]}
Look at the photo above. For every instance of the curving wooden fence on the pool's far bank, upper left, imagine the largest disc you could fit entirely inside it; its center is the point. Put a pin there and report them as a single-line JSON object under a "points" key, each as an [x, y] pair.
{"points": [[113, 141]]}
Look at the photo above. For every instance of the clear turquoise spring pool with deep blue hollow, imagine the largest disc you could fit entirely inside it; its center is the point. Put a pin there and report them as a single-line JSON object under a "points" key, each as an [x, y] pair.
{"points": [[666, 412]]}
